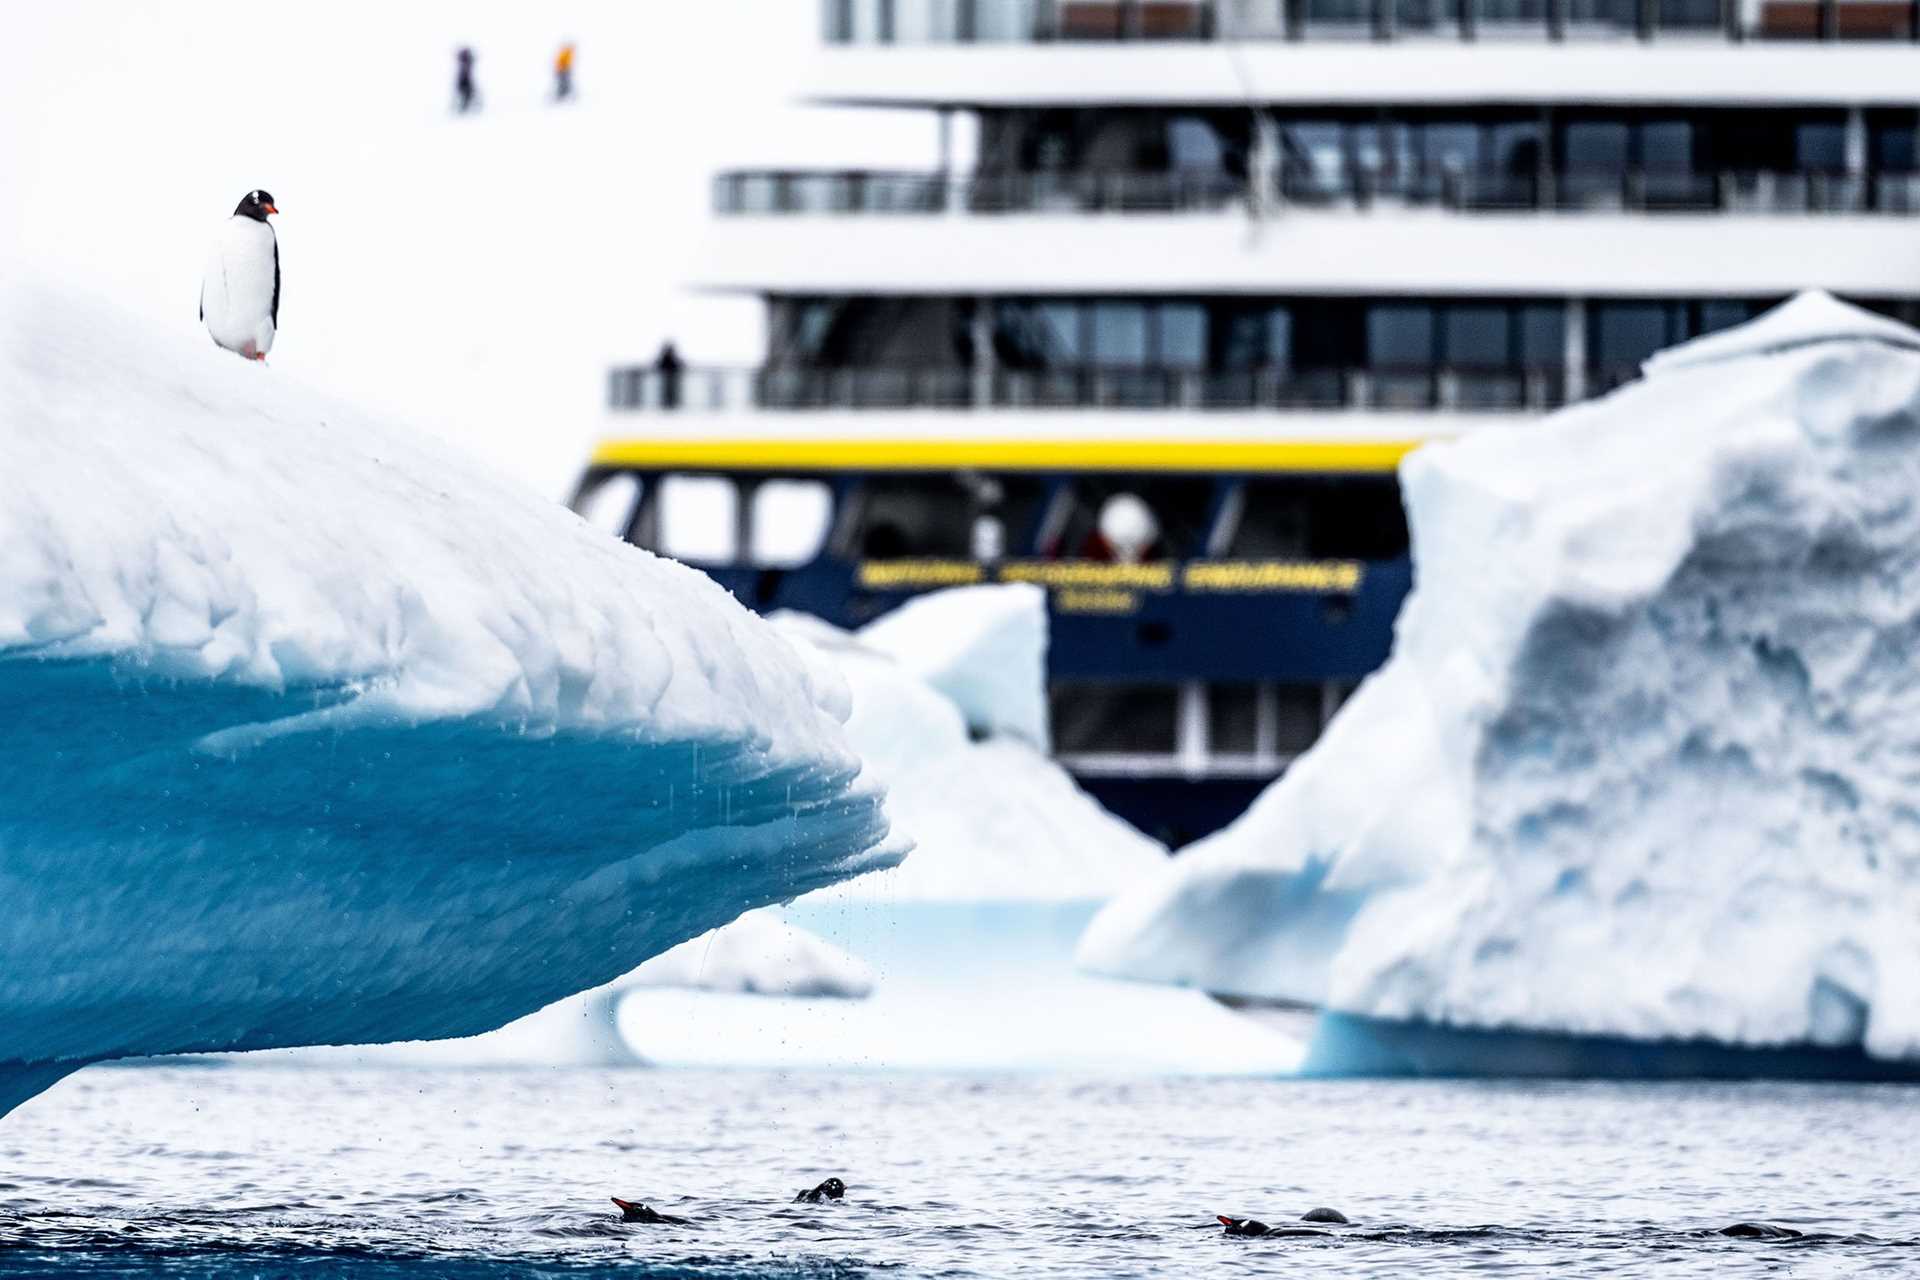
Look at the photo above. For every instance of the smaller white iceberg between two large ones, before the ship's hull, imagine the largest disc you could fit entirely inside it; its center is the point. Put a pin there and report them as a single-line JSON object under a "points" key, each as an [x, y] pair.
{"points": [[971, 941]]}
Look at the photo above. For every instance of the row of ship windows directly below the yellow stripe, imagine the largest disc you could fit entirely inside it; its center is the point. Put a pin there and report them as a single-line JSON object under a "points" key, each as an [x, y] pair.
{"points": [[786, 523]]}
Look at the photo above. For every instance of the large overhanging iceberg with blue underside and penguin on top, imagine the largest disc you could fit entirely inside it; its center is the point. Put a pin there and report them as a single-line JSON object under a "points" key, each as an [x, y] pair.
{"points": [[314, 734]]}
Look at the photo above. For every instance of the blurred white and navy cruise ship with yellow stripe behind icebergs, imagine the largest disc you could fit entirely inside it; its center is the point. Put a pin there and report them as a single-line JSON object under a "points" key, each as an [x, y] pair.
{"points": [[1186, 279]]}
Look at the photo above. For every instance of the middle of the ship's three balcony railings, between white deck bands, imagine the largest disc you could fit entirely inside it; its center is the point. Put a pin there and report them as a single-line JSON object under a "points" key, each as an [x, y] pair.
{"points": [[1443, 187]]}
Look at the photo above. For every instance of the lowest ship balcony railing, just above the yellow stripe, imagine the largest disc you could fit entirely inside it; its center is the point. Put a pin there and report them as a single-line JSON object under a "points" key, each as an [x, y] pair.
{"points": [[1464, 389]]}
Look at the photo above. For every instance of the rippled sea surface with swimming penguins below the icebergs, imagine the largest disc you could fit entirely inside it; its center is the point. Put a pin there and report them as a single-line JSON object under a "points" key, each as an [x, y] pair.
{"points": [[220, 1172]]}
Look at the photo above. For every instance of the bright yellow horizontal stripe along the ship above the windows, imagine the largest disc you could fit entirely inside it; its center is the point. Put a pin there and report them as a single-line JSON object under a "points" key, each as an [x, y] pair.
{"points": [[1040, 456]]}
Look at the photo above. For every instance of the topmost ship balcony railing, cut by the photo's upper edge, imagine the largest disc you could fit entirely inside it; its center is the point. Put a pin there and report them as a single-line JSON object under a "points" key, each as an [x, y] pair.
{"points": [[997, 22]]}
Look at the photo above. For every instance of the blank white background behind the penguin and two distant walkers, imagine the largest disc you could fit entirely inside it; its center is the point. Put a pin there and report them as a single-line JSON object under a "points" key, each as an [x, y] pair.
{"points": [[475, 277]]}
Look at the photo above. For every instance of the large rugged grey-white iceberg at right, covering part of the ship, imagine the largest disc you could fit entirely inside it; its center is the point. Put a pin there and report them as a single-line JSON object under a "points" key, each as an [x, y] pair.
{"points": [[1644, 767]]}
